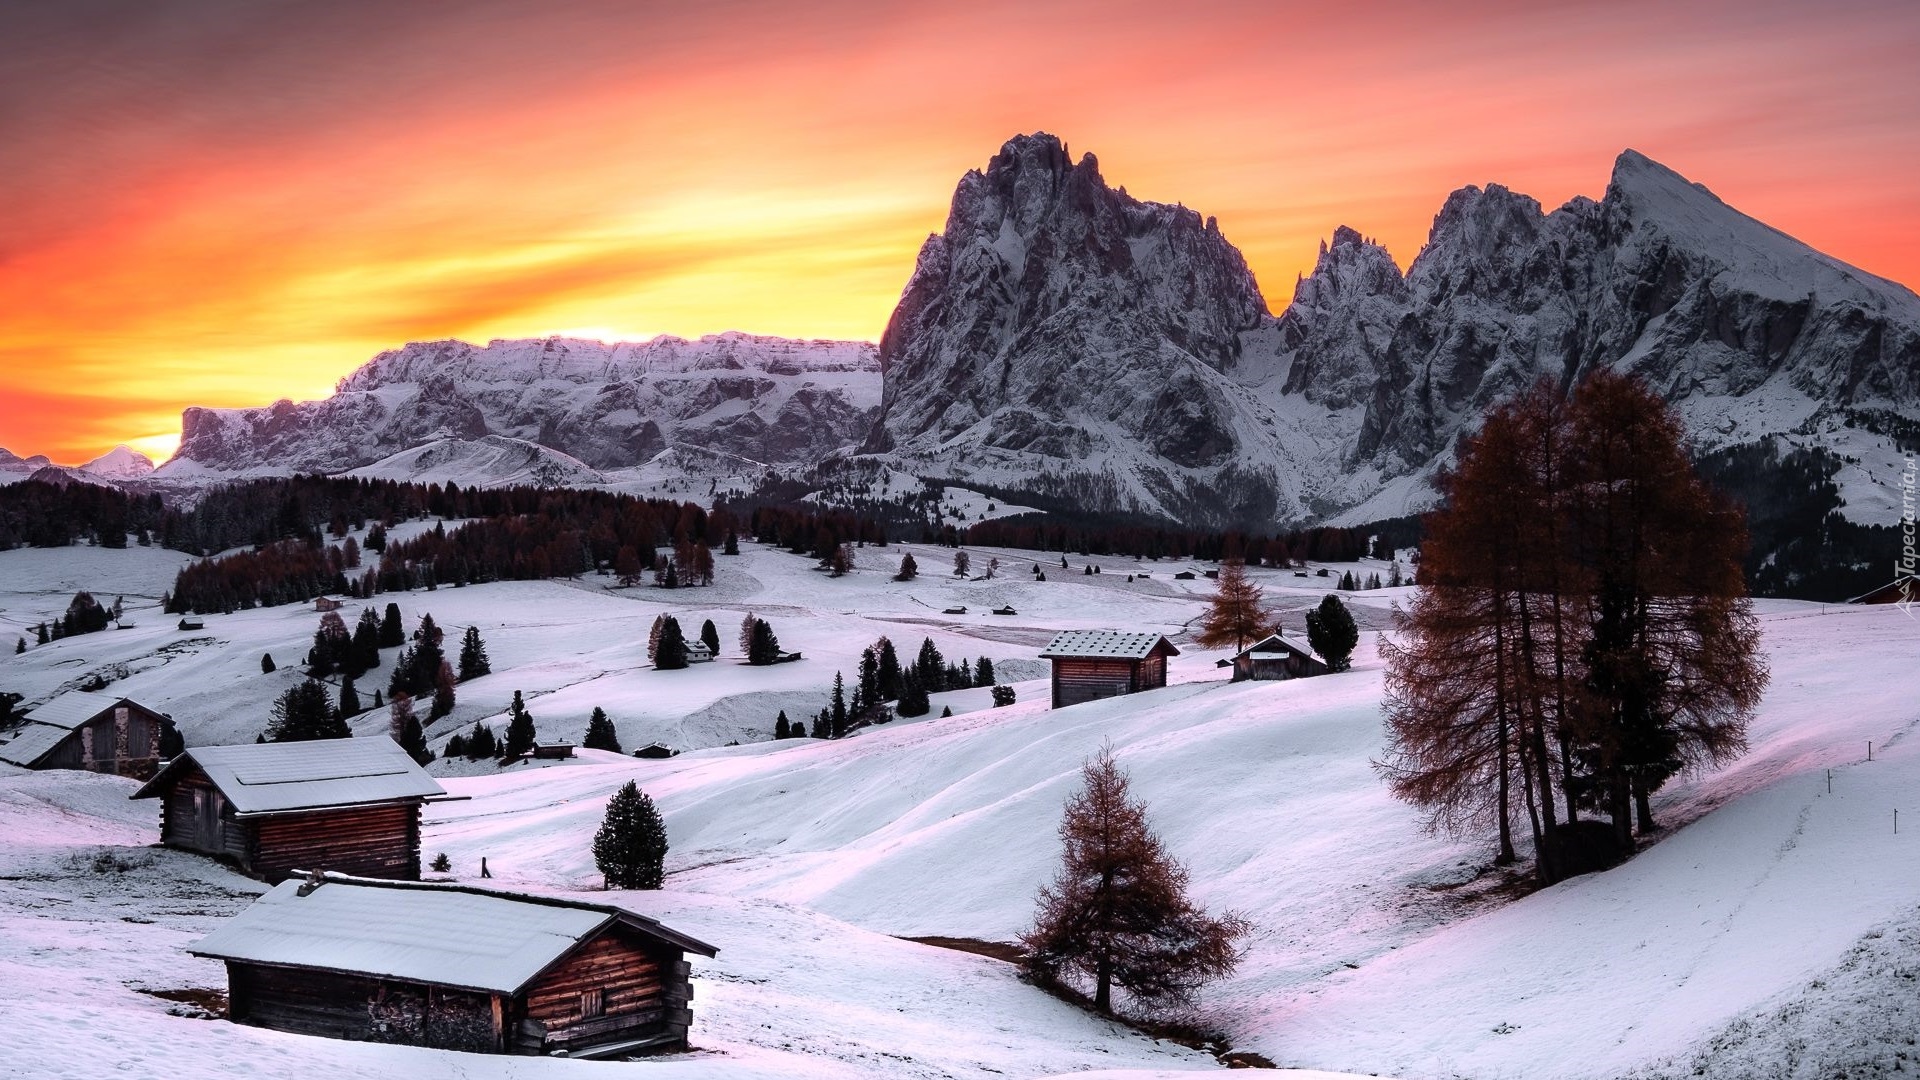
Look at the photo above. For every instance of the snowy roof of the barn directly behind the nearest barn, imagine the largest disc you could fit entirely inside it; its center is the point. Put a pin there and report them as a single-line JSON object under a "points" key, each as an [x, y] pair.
{"points": [[276, 777]]}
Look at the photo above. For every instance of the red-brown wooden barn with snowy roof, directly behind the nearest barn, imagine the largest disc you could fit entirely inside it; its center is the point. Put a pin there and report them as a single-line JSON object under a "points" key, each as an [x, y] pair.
{"points": [[281, 808]]}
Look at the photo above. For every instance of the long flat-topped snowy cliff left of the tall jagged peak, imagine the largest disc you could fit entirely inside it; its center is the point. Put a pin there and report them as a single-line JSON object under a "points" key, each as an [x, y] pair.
{"points": [[608, 406]]}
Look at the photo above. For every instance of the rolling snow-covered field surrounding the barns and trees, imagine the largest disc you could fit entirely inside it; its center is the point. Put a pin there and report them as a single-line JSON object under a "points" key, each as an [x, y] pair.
{"points": [[1771, 933]]}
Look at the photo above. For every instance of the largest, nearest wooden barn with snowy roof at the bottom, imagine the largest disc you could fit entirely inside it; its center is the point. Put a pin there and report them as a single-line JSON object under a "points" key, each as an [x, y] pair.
{"points": [[456, 968]]}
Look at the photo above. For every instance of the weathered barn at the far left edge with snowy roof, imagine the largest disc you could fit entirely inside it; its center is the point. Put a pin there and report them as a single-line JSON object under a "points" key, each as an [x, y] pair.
{"points": [[101, 733]]}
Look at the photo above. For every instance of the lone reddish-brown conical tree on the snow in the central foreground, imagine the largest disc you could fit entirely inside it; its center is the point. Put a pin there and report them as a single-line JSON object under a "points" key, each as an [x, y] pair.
{"points": [[1116, 912]]}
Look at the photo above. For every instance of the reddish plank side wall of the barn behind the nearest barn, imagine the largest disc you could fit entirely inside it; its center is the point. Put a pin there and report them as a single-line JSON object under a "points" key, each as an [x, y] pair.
{"points": [[372, 843]]}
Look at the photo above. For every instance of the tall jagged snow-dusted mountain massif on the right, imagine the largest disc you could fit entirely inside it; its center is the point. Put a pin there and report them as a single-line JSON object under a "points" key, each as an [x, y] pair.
{"points": [[1068, 341]]}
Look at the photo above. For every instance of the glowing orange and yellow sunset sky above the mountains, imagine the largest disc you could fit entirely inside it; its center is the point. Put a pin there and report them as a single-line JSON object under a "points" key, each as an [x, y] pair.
{"points": [[228, 203]]}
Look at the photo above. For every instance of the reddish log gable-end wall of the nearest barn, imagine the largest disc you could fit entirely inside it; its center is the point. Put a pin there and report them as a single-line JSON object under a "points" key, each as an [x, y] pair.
{"points": [[644, 993]]}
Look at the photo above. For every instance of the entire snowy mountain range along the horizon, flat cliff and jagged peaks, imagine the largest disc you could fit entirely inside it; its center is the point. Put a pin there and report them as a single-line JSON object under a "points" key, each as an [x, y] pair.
{"points": [[1070, 345]]}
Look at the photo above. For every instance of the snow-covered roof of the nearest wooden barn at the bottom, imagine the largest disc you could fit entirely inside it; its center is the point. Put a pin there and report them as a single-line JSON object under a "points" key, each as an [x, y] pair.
{"points": [[420, 931]]}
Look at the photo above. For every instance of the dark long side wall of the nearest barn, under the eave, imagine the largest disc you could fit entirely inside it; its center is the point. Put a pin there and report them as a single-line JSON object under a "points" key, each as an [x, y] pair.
{"points": [[360, 1008]]}
